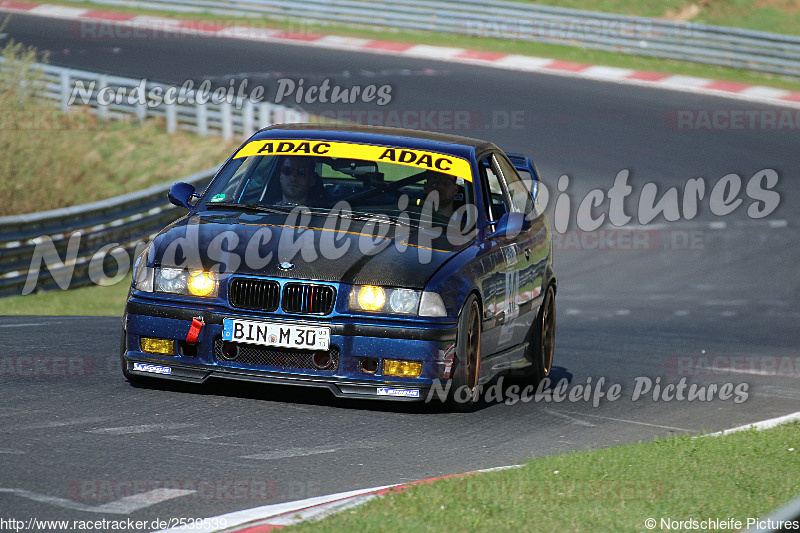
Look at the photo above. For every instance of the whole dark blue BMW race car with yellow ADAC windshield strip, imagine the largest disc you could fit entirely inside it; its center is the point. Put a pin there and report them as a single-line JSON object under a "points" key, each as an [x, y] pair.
{"points": [[375, 262]]}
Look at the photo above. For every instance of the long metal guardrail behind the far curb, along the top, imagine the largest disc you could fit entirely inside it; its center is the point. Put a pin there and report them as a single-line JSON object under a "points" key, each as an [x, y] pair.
{"points": [[701, 43]]}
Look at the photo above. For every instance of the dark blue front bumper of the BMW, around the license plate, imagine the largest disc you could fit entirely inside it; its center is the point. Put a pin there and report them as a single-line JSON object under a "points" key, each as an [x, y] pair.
{"points": [[354, 344]]}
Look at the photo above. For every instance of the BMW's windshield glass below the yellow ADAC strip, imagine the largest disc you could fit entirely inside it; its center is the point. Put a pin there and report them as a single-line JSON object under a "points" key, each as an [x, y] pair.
{"points": [[358, 187]]}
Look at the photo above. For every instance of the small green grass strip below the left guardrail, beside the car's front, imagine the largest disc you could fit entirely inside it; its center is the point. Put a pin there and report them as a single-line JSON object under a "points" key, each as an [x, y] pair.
{"points": [[93, 300]]}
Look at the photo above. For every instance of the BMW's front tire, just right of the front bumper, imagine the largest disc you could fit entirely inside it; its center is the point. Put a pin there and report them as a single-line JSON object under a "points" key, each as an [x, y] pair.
{"points": [[467, 359]]}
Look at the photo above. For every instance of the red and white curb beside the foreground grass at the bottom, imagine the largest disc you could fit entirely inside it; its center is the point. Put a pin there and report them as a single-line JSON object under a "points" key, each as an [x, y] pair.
{"points": [[280, 515]]}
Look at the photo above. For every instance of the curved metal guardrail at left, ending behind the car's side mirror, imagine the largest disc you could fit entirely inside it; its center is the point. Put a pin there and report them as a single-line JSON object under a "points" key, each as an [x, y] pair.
{"points": [[125, 222]]}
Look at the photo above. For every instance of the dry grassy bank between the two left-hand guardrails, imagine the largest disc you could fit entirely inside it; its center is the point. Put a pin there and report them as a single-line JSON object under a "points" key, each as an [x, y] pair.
{"points": [[52, 159]]}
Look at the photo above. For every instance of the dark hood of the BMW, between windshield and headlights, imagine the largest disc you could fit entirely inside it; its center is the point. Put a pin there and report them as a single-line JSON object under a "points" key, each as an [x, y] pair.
{"points": [[321, 248]]}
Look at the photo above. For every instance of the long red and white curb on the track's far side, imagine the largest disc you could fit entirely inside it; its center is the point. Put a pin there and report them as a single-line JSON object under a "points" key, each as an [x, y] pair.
{"points": [[165, 27]]}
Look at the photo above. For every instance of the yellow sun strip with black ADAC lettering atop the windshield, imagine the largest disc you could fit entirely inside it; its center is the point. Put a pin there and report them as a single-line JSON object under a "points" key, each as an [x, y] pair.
{"points": [[444, 163]]}
